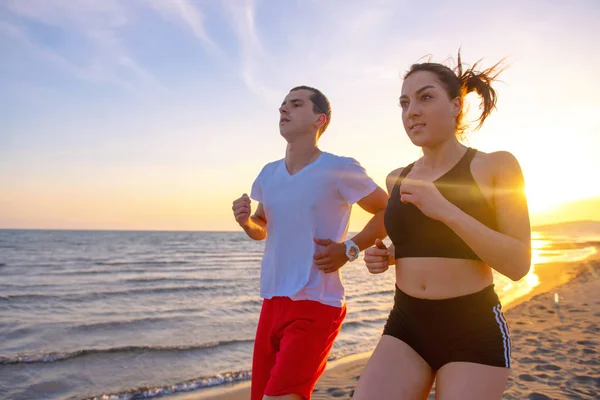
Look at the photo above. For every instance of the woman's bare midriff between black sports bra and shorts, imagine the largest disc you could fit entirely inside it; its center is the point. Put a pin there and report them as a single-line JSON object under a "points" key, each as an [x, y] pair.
{"points": [[441, 278]]}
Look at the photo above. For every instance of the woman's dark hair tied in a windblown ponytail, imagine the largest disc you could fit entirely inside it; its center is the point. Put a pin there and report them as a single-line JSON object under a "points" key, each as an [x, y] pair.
{"points": [[460, 82]]}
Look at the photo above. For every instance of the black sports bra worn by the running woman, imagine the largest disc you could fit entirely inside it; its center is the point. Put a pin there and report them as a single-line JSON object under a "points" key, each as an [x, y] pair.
{"points": [[416, 235]]}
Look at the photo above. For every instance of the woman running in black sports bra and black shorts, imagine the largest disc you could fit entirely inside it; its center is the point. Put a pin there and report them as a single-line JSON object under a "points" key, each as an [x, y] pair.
{"points": [[453, 215]]}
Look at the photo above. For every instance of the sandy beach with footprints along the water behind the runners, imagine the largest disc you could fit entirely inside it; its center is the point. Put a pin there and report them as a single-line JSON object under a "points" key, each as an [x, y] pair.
{"points": [[555, 345]]}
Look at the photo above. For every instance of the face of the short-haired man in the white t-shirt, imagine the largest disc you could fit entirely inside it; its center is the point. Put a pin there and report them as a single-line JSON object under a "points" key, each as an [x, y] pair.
{"points": [[297, 117]]}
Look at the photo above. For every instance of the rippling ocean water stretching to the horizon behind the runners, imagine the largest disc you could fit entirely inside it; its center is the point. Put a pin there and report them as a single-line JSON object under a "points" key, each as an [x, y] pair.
{"points": [[138, 315]]}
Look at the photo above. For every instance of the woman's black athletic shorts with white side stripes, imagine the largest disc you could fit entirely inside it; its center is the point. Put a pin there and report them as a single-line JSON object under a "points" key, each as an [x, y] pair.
{"points": [[468, 328]]}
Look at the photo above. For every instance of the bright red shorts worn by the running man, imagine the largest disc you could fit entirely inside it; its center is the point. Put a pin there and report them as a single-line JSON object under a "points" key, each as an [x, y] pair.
{"points": [[293, 340]]}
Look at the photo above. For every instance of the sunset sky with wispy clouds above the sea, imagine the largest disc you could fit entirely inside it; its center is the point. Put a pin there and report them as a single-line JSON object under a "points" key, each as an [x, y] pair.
{"points": [[157, 114]]}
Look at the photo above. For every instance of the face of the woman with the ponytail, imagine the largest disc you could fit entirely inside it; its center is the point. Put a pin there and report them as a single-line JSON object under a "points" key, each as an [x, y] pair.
{"points": [[428, 114]]}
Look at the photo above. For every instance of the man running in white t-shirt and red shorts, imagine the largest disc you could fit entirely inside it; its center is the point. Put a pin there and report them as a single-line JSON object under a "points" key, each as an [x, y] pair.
{"points": [[304, 204]]}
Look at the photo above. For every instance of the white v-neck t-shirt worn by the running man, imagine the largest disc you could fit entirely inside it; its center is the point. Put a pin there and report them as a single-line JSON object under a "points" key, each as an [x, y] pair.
{"points": [[314, 202]]}
